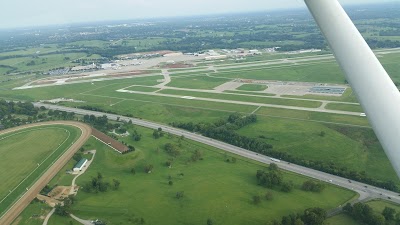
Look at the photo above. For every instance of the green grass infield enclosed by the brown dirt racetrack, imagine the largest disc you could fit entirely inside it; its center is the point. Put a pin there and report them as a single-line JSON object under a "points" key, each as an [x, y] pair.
{"points": [[23, 151]]}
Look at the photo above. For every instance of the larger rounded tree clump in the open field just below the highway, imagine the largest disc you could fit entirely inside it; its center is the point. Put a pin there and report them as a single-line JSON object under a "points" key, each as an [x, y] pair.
{"points": [[273, 178]]}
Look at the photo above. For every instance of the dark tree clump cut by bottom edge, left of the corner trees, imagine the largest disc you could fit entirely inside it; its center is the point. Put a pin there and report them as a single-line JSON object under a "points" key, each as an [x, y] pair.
{"points": [[311, 216]]}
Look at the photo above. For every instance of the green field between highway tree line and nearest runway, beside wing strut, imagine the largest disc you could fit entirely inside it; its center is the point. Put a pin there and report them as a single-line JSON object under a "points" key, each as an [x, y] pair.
{"points": [[352, 147]]}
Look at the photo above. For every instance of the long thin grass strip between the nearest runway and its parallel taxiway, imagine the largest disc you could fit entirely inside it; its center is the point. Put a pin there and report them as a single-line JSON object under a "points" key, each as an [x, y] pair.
{"points": [[243, 98]]}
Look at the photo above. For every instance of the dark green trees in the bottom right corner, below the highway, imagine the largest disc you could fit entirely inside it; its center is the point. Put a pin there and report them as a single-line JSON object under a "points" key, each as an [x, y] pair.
{"points": [[365, 214]]}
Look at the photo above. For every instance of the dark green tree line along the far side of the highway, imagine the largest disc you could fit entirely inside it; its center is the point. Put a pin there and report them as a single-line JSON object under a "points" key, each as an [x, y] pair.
{"points": [[224, 130]]}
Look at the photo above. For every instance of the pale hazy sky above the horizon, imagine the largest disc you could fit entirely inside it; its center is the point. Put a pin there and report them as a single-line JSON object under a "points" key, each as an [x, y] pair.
{"points": [[24, 13]]}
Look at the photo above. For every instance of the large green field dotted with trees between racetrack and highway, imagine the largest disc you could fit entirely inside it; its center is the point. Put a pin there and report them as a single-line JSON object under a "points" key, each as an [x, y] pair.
{"points": [[213, 188]]}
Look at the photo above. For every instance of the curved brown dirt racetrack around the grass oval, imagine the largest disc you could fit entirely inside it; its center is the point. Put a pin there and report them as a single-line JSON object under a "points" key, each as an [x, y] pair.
{"points": [[13, 212]]}
